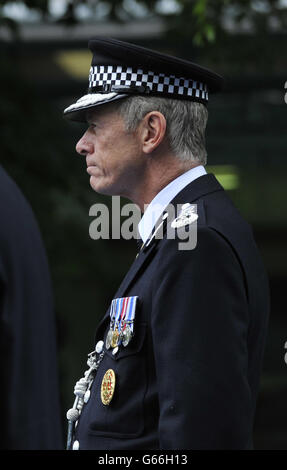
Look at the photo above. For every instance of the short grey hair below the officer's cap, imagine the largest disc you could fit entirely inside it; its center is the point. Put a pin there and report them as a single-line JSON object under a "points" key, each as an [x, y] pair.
{"points": [[186, 123]]}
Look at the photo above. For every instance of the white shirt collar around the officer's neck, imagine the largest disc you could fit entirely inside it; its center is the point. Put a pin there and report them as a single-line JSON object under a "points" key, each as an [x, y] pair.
{"points": [[163, 198]]}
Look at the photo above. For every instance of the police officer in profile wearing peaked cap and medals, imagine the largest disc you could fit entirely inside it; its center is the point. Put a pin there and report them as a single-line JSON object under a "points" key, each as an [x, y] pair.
{"points": [[179, 352]]}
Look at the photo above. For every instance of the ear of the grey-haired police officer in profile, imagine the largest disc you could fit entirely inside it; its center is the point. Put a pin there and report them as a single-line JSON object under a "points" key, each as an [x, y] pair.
{"points": [[153, 131]]}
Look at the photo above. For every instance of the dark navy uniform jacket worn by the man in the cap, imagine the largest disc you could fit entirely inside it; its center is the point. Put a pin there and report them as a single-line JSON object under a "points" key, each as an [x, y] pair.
{"points": [[189, 377]]}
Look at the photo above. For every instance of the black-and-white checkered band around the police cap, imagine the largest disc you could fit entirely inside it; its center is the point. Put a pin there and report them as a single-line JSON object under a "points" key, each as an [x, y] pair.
{"points": [[118, 76]]}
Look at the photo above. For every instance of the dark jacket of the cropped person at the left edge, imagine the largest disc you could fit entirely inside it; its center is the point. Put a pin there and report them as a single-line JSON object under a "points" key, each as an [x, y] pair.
{"points": [[29, 401]]}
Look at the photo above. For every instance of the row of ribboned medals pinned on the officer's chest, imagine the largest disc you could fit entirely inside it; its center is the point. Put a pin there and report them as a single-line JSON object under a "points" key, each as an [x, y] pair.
{"points": [[122, 314]]}
